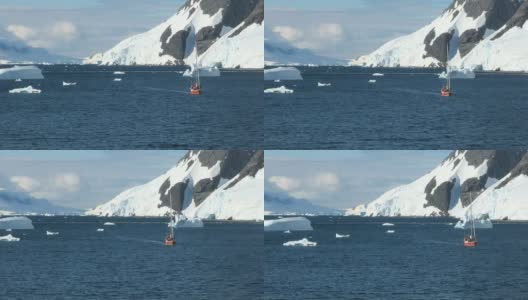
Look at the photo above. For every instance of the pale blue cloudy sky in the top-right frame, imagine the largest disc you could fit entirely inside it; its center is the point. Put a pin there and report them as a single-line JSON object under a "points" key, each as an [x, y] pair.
{"points": [[347, 29]]}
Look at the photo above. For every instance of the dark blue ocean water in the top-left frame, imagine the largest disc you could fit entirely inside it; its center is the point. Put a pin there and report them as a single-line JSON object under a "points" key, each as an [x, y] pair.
{"points": [[150, 109]]}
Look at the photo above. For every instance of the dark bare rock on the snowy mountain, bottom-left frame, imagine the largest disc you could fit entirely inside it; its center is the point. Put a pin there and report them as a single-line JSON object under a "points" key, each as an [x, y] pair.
{"points": [[233, 163]]}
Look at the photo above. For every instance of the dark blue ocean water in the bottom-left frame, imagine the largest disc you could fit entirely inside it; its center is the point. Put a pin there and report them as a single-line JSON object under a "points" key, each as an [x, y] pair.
{"points": [[129, 261]]}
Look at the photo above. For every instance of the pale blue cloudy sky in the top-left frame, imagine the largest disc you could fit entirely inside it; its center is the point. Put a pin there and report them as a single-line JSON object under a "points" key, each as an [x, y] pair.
{"points": [[80, 28]]}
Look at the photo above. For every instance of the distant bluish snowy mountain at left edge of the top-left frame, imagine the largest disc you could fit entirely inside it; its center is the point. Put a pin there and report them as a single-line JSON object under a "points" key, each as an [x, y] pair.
{"points": [[16, 52]]}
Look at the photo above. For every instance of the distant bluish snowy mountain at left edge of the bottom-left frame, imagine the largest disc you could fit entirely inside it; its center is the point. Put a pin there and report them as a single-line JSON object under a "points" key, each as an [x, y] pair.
{"points": [[24, 204]]}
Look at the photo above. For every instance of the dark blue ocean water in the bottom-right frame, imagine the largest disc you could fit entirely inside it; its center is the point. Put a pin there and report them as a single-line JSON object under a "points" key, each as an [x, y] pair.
{"points": [[423, 259]]}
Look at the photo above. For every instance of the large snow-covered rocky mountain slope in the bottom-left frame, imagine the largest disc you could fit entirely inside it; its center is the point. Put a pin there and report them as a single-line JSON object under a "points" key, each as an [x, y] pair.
{"points": [[203, 184]]}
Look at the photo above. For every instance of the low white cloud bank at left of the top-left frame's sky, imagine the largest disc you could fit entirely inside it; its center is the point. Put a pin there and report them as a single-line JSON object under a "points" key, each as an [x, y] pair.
{"points": [[49, 36]]}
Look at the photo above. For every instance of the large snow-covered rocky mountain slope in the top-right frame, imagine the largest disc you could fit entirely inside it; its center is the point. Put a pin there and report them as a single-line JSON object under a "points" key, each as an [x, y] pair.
{"points": [[487, 34]]}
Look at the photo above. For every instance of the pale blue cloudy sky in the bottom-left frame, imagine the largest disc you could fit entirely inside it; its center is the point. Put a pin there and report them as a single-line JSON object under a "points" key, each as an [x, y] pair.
{"points": [[81, 179]]}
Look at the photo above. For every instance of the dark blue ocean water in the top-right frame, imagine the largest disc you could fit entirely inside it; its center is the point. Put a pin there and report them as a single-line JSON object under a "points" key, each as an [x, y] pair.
{"points": [[403, 110]]}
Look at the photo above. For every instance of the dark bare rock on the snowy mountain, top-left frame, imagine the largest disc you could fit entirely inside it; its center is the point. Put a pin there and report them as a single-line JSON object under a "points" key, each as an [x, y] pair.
{"points": [[234, 12]]}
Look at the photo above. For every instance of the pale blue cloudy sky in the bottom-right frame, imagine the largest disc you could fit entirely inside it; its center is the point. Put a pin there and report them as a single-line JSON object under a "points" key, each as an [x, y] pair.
{"points": [[344, 179]]}
